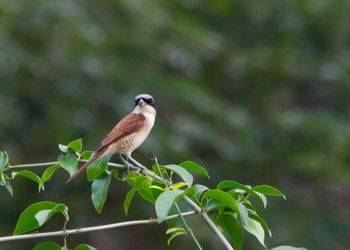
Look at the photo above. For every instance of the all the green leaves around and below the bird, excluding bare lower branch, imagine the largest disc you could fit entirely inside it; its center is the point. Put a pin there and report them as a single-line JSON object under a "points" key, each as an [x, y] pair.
{"points": [[230, 204]]}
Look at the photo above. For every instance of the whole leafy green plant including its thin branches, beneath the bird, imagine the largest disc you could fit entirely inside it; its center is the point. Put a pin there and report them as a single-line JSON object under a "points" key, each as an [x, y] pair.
{"points": [[228, 209]]}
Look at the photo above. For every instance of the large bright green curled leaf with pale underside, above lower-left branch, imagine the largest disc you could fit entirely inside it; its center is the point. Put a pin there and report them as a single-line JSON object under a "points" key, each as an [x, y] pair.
{"points": [[38, 214]]}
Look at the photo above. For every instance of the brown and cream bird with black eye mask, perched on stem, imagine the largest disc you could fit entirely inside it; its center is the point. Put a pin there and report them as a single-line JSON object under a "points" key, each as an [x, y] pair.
{"points": [[128, 134]]}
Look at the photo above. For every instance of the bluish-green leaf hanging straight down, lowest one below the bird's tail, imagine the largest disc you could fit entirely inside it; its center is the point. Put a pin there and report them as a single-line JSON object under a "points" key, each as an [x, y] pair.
{"points": [[99, 190]]}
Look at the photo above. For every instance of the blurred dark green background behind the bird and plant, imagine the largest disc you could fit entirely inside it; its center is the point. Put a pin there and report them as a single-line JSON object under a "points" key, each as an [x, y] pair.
{"points": [[256, 91]]}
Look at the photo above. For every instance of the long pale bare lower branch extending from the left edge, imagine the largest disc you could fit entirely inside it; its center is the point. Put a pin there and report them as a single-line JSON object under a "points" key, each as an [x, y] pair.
{"points": [[89, 229]]}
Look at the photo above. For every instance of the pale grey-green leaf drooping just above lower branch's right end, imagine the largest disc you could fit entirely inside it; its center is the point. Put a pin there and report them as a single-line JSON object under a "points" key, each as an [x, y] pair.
{"points": [[164, 202]]}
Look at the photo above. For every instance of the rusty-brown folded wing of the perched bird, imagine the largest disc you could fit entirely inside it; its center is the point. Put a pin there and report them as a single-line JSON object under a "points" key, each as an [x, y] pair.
{"points": [[126, 126]]}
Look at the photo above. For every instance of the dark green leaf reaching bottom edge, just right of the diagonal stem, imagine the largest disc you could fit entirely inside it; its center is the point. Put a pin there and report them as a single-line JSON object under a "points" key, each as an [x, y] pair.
{"points": [[231, 226]]}
